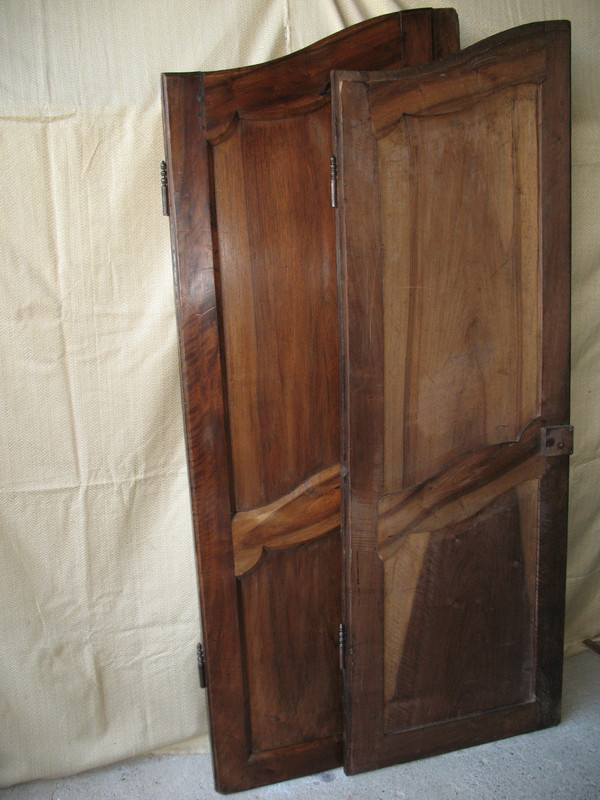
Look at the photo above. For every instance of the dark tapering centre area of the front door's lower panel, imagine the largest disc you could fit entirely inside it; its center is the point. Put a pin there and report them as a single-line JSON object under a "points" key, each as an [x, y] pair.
{"points": [[471, 601]]}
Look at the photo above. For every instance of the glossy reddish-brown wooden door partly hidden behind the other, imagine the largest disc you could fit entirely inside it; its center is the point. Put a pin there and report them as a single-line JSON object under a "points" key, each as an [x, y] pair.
{"points": [[253, 235]]}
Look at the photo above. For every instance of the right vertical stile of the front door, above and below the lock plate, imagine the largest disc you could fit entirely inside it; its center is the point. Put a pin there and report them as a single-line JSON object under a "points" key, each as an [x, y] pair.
{"points": [[555, 212]]}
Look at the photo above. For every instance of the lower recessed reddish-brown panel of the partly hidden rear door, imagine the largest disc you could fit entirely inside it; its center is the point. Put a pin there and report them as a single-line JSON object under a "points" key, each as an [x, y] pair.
{"points": [[286, 709]]}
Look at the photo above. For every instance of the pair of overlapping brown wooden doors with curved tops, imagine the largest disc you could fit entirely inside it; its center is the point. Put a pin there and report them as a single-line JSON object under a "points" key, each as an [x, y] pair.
{"points": [[434, 619]]}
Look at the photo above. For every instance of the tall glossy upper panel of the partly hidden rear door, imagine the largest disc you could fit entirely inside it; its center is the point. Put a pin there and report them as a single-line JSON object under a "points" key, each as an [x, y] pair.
{"points": [[279, 300]]}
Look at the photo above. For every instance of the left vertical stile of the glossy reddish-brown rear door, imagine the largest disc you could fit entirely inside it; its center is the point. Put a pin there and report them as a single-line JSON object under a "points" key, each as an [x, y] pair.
{"points": [[203, 406]]}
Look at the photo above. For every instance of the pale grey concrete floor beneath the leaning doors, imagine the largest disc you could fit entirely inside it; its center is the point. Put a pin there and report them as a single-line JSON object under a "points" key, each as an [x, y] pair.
{"points": [[561, 763]]}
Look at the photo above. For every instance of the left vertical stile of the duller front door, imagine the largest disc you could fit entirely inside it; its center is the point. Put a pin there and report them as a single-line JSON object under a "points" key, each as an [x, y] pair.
{"points": [[361, 296]]}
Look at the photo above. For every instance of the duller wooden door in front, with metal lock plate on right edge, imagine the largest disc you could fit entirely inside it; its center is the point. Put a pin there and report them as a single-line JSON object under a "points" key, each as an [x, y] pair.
{"points": [[454, 262]]}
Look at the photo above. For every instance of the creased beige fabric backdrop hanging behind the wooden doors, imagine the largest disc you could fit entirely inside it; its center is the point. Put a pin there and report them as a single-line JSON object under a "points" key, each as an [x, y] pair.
{"points": [[98, 612]]}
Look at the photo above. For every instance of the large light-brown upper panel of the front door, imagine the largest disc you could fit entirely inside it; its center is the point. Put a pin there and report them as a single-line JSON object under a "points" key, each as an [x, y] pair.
{"points": [[462, 286]]}
